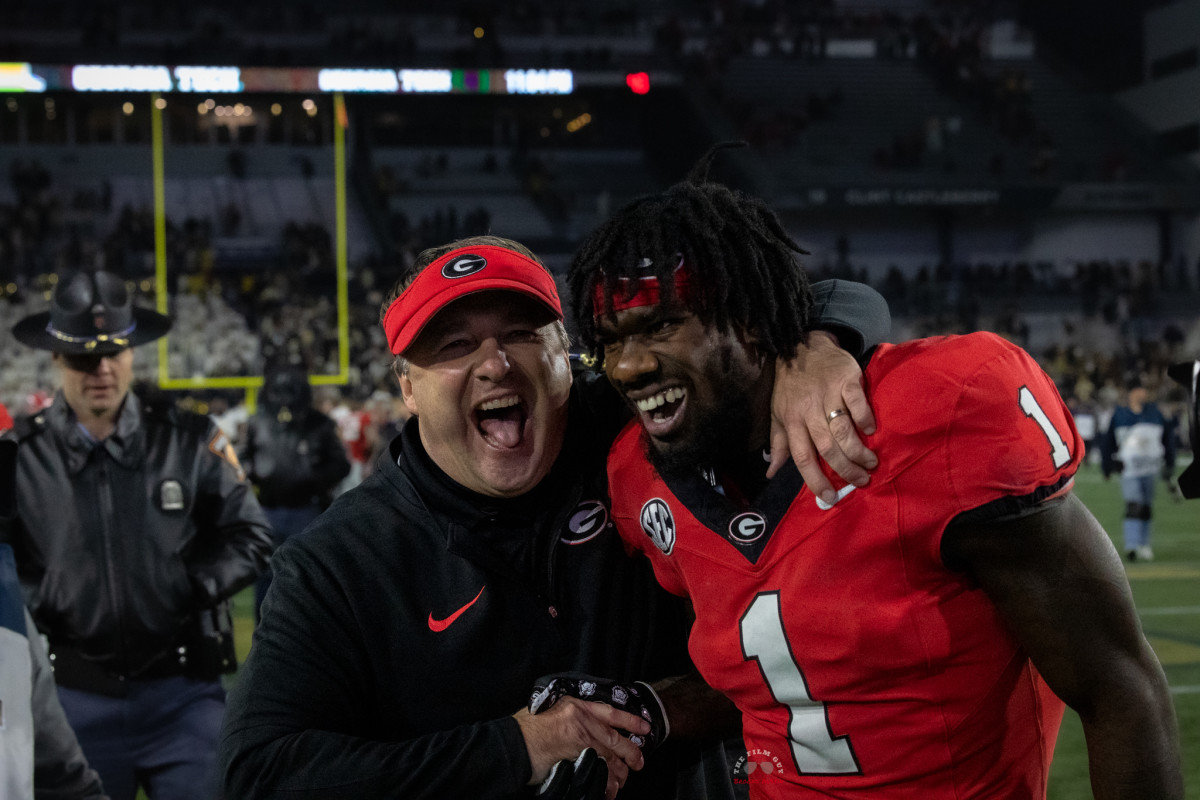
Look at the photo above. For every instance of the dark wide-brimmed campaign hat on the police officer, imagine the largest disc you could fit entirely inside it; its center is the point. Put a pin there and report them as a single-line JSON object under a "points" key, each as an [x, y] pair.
{"points": [[92, 314]]}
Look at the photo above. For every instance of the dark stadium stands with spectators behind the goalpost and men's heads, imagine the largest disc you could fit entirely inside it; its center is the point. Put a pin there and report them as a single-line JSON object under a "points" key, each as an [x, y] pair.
{"points": [[941, 157]]}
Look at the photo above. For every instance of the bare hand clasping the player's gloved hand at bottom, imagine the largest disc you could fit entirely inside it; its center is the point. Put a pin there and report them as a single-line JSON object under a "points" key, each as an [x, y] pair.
{"points": [[571, 727]]}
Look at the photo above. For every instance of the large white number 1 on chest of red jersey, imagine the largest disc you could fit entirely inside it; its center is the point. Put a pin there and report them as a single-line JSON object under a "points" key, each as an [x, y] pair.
{"points": [[814, 747]]}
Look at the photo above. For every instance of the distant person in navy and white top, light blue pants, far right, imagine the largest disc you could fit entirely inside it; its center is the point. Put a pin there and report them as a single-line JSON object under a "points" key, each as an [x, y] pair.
{"points": [[1139, 444]]}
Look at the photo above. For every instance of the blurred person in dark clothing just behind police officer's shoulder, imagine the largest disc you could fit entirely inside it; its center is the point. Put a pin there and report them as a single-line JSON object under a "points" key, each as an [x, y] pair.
{"points": [[293, 456]]}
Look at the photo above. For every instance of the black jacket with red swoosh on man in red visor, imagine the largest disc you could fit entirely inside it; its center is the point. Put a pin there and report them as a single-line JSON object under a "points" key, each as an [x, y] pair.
{"points": [[359, 685]]}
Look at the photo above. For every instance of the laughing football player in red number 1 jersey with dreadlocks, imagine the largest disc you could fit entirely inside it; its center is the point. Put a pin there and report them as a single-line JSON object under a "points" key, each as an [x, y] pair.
{"points": [[919, 637]]}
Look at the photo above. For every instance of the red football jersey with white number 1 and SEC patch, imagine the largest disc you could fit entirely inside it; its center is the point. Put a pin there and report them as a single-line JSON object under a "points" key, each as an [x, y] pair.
{"points": [[861, 664]]}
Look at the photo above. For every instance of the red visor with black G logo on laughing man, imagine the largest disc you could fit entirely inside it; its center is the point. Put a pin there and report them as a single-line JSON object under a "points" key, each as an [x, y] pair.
{"points": [[459, 274]]}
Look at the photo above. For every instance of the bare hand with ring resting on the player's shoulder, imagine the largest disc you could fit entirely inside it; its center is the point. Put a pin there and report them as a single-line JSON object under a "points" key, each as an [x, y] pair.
{"points": [[821, 380]]}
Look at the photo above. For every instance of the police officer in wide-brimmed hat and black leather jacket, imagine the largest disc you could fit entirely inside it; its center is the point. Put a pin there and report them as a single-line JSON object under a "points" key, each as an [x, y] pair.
{"points": [[135, 524]]}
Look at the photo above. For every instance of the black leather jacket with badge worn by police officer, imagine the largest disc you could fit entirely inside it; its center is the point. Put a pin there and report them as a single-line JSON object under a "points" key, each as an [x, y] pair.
{"points": [[121, 543]]}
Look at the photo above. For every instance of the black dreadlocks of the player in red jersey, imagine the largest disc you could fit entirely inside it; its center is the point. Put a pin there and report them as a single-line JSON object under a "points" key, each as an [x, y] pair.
{"points": [[743, 264]]}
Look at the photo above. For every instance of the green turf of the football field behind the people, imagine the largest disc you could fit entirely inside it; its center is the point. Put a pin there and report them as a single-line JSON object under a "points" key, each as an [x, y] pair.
{"points": [[1167, 592]]}
